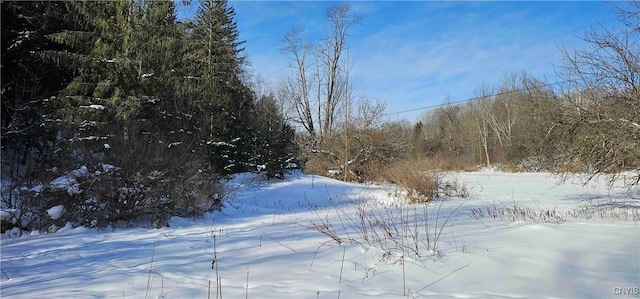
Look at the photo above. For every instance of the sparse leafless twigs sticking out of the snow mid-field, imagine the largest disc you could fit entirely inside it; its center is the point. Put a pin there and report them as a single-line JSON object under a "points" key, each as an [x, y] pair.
{"points": [[406, 229]]}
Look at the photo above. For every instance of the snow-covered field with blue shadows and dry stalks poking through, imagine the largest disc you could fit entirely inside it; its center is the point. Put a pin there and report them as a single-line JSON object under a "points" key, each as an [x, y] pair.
{"points": [[273, 239]]}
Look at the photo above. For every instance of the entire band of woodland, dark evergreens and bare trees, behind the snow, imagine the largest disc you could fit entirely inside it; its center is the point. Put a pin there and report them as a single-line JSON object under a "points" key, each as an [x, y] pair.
{"points": [[123, 115]]}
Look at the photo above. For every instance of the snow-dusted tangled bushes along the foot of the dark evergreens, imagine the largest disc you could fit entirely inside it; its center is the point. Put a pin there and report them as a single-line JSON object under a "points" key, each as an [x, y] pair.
{"points": [[144, 194]]}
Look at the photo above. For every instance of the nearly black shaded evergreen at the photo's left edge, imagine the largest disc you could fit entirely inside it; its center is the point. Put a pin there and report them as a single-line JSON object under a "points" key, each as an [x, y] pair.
{"points": [[28, 84]]}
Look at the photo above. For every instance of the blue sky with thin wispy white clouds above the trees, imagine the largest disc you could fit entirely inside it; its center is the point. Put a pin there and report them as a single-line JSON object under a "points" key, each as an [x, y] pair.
{"points": [[413, 54]]}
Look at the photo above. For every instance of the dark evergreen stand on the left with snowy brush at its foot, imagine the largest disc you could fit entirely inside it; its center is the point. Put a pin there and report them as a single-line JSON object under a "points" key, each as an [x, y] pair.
{"points": [[140, 113]]}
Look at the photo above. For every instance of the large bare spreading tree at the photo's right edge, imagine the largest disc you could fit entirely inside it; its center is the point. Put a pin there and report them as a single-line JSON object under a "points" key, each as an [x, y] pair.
{"points": [[597, 123]]}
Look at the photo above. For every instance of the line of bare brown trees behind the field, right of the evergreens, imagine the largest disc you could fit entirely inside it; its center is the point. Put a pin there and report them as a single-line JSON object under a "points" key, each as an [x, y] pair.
{"points": [[587, 122]]}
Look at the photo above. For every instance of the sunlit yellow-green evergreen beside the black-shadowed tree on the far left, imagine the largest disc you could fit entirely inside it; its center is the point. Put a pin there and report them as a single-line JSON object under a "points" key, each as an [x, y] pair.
{"points": [[105, 94]]}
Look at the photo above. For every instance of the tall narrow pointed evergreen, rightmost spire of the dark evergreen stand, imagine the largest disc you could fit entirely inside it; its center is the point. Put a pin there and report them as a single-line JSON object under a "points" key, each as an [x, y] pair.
{"points": [[224, 99]]}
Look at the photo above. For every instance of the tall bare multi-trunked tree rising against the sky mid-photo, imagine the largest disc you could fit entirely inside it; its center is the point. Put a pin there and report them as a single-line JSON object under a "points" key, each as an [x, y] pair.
{"points": [[318, 90]]}
